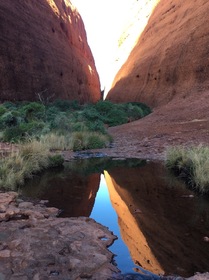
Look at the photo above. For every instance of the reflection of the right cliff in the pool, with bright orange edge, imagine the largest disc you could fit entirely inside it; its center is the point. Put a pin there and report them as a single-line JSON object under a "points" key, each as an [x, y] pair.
{"points": [[162, 226]]}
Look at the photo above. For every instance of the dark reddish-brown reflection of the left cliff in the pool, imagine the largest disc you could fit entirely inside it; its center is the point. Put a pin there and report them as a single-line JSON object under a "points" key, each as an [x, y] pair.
{"points": [[67, 190]]}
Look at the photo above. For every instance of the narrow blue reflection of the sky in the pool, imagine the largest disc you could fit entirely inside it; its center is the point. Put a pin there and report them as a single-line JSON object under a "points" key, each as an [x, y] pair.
{"points": [[104, 213]]}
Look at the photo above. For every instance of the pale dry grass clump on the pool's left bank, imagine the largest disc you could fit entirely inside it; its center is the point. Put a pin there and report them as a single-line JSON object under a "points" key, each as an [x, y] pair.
{"points": [[29, 159]]}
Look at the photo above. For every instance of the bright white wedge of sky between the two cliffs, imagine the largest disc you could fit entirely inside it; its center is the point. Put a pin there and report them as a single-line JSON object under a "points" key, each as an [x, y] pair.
{"points": [[104, 21]]}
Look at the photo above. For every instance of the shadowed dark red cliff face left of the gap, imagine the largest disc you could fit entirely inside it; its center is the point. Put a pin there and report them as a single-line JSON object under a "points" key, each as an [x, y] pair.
{"points": [[44, 54]]}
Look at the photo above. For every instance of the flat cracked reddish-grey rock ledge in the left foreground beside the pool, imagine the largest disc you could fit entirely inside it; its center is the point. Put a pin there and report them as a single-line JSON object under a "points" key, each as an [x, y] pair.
{"points": [[35, 244]]}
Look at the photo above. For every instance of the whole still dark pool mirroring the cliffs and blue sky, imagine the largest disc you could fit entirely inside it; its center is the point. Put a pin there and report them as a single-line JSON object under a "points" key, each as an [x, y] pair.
{"points": [[160, 224]]}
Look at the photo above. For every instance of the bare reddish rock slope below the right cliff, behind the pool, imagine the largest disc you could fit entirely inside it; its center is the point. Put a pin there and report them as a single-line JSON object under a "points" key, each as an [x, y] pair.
{"points": [[180, 122]]}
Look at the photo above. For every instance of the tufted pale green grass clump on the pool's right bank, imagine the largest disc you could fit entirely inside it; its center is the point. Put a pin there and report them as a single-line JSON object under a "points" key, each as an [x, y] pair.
{"points": [[191, 164]]}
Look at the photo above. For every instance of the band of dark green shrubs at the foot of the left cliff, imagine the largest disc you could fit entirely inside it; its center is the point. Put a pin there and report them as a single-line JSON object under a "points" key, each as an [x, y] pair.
{"points": [[25, 120]]}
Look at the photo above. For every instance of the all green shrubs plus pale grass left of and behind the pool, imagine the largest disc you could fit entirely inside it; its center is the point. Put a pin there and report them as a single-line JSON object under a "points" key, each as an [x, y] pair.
{"points": [[41, 129]]}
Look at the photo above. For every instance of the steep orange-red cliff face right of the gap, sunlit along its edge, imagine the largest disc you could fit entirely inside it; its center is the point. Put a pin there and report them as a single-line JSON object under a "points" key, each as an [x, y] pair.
{"points": [[170, 58]]}
